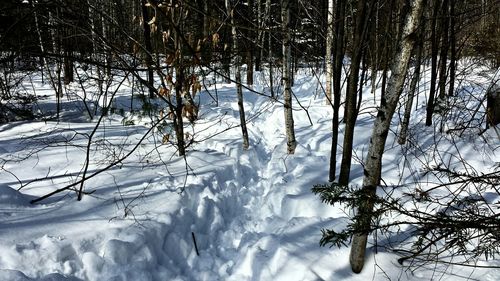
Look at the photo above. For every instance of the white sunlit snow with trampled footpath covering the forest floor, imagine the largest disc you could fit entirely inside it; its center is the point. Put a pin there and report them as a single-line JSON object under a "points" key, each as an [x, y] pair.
{"points": [[251, 212]]}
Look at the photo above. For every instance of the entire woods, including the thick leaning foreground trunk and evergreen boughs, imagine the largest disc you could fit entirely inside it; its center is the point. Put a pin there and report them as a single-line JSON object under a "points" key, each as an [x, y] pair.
{"points": [[169, 49]]}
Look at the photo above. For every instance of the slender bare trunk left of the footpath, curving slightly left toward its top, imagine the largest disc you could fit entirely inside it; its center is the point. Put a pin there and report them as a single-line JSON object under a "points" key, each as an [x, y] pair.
{"points": [[237, 70]]}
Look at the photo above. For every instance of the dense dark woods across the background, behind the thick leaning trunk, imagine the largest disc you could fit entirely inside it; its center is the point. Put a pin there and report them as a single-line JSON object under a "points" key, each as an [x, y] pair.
{"points": [[174, 45]]}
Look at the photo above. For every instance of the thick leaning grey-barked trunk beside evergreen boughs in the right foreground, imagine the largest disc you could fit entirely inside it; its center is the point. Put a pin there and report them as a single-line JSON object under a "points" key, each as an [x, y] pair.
{"points": [[373, 164]]}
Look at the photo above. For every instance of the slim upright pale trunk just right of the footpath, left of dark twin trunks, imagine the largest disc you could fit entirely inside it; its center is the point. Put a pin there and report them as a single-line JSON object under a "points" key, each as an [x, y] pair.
{"points": [[287, 95]]}
